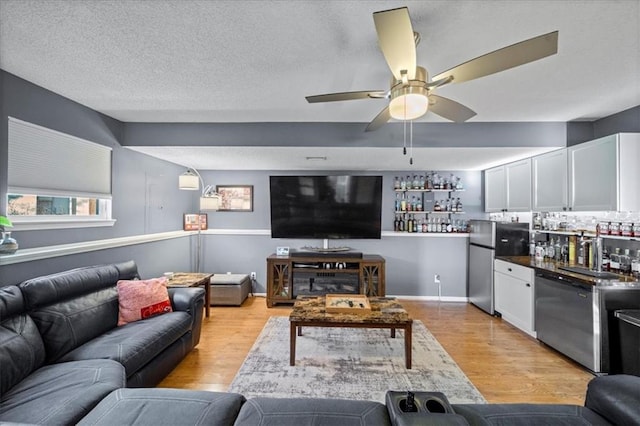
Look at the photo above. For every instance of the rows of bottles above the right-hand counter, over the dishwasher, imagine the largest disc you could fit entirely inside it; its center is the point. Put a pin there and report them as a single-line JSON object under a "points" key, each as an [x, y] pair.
{"points": [[569, 241]]}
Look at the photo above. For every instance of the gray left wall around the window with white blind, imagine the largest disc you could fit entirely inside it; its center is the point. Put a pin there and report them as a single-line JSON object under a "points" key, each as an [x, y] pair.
{"points": [[146, 198]]}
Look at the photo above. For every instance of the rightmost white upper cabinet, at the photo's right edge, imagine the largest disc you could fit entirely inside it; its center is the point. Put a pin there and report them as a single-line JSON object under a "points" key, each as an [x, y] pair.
{"points": [[604, 173]]}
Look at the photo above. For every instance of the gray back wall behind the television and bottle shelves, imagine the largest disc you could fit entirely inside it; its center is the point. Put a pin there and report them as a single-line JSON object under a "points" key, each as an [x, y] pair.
{"points": [[411, 262]]}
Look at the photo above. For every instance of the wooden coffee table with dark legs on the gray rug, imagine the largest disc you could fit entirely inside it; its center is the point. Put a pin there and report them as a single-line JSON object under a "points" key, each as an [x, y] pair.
{"points": [[386, 312]]}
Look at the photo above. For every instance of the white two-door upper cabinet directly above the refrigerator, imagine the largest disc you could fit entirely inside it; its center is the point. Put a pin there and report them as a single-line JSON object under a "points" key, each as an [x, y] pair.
{"points": [[508, 187]]}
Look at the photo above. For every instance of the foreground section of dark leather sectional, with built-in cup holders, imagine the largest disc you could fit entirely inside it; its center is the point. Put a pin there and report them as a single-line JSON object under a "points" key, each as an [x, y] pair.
{"points": [[609, 400]]}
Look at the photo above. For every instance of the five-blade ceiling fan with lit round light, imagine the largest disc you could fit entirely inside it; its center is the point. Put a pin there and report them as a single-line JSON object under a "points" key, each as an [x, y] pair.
{"points": [[411, 92]]}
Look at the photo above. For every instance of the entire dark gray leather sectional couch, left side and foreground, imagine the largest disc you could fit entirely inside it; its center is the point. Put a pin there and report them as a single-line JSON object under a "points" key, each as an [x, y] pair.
{"points": [[63, 361]]}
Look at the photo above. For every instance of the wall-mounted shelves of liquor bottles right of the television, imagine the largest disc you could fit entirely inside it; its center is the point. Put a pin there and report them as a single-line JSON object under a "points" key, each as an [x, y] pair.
{"points": [[411, 213]]}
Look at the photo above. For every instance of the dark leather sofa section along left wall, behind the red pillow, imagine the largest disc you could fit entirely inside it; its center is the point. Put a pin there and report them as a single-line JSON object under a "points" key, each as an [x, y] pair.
{"points": [[61, 351]]}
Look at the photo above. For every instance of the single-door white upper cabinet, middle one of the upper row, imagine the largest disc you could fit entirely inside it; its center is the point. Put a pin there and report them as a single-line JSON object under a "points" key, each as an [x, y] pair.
{"points": [[549, 180]]}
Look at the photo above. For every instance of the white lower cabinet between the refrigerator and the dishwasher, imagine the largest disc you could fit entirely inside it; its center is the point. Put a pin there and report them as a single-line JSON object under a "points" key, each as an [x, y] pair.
{"points": [[514, 295]]}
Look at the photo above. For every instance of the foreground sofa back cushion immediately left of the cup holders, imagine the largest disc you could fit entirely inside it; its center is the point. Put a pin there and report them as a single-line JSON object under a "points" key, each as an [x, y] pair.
{"points": [[310, 411]]}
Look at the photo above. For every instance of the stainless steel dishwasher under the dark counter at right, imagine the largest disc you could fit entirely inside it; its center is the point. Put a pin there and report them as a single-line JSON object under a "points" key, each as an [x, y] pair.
{"points": [[576, 318]]}
